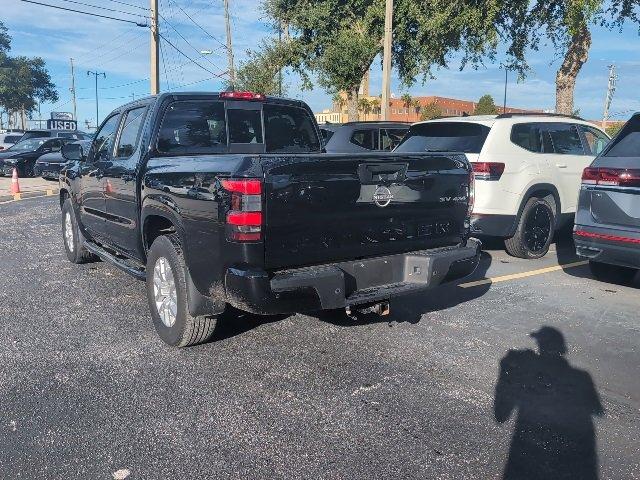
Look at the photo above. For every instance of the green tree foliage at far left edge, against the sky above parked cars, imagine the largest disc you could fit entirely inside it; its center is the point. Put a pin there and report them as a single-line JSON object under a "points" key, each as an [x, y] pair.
{"points": [[23, 81]]}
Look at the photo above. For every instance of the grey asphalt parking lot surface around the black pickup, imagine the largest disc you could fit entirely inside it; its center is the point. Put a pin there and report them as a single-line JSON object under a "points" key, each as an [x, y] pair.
{"points": [[87, 389]]}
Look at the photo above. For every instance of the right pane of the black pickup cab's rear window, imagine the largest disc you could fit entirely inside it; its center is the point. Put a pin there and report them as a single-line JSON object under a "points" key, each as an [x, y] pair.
{"points": [[289, 130]]}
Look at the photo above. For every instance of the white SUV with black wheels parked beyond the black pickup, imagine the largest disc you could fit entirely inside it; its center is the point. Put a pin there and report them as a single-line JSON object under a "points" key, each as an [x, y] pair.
{"points": [[527, 167]]}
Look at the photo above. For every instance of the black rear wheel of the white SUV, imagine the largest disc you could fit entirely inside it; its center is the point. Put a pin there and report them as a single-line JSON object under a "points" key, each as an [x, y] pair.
{"points": [[535, 230]]}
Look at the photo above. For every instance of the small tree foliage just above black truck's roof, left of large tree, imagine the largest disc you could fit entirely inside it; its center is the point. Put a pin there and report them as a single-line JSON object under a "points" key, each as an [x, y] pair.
{"points": [[260, 72]]}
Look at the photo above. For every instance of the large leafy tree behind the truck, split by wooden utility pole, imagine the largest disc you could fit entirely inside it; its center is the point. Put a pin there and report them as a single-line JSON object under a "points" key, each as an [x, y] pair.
{"points": [[339, 40]]}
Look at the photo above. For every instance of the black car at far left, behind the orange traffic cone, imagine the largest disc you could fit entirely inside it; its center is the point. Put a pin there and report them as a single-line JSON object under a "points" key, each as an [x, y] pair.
{"points": [[23, 155]]}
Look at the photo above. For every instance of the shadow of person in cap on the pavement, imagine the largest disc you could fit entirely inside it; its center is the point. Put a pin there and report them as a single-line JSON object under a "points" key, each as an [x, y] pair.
{"points": [[554, 435]]}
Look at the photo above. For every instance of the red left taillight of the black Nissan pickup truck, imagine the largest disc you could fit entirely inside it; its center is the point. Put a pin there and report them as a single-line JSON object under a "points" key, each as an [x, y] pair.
{"points": [[244, 219]]}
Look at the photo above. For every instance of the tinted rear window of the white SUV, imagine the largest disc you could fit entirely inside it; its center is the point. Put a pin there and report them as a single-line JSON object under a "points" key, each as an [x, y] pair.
{"points": [[444, 137]]}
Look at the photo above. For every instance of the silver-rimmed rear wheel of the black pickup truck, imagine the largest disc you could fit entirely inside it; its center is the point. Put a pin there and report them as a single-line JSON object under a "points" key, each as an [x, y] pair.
{"points": [[167, 296]]}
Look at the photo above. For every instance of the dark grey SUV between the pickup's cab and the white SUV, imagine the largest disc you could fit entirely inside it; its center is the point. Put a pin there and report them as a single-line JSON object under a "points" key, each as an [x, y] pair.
{"points": [[361, 137]]}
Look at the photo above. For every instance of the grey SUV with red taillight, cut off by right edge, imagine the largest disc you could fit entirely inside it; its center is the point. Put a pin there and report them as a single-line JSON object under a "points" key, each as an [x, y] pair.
{"points": [[607, 226]]}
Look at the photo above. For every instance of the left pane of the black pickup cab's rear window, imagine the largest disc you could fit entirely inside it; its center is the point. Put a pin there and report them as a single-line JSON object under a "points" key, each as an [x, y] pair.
{"points": [[193, 127]]}
